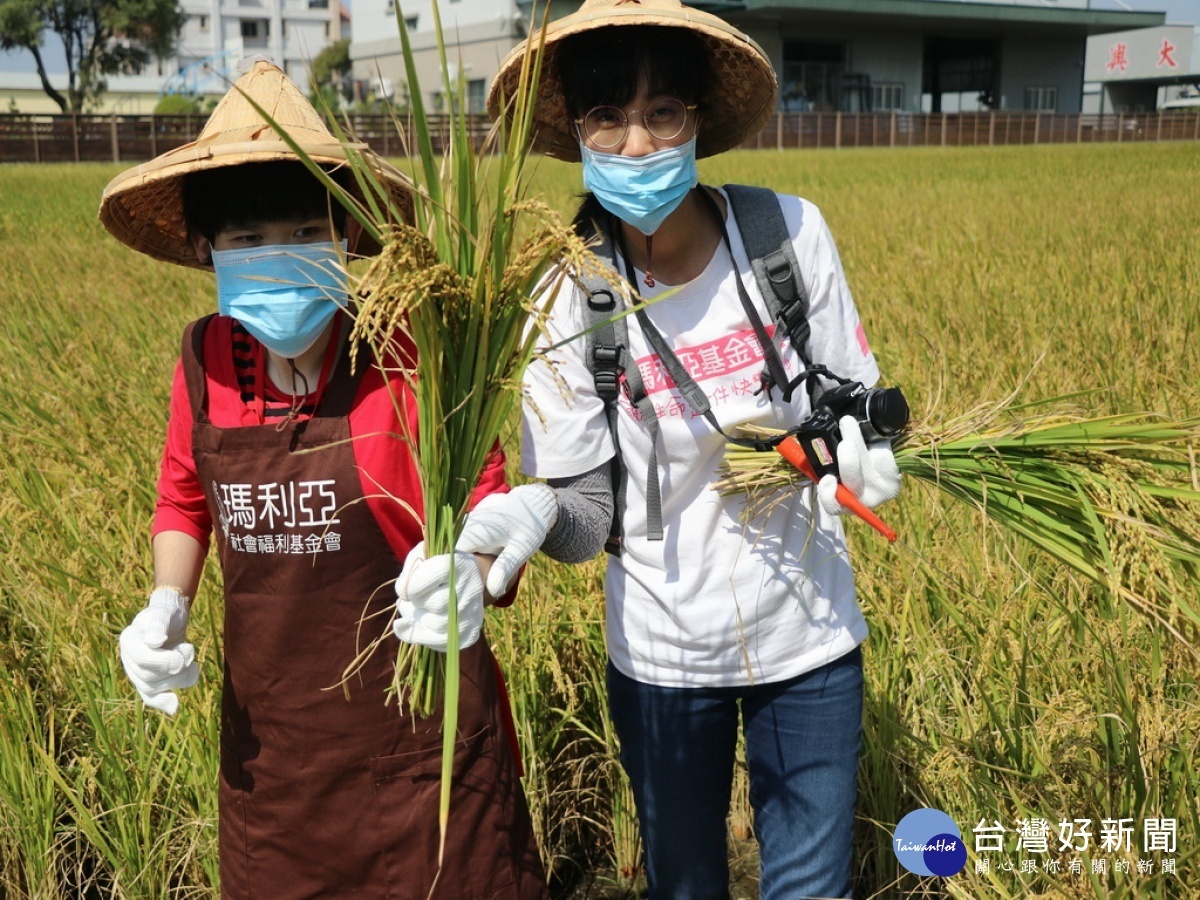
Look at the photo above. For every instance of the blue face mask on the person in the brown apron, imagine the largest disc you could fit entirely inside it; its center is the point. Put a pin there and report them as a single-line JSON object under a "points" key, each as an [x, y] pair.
{"points": [[284, 295]]}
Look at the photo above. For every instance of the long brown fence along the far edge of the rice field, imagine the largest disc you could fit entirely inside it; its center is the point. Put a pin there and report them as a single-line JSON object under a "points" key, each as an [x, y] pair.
{"points": [[135, 139]]}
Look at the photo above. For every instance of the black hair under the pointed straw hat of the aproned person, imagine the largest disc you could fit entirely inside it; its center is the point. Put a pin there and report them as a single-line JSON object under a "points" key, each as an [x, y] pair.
{"points": [[238, 196]]}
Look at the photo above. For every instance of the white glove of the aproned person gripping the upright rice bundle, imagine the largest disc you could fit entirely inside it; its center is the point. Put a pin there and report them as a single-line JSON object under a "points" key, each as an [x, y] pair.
{"points": [[423, 599]]}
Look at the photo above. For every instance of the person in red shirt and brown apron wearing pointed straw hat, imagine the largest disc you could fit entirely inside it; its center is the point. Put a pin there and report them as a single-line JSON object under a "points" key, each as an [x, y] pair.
{"points": [[285, 451]]}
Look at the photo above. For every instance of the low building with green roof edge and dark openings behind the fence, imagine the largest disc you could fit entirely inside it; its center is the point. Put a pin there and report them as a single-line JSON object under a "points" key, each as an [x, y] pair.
{"points": [[929, 56]]}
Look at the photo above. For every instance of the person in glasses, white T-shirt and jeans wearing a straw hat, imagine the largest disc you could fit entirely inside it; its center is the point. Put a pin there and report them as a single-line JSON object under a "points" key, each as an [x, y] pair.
{"points": [[711, 620]]}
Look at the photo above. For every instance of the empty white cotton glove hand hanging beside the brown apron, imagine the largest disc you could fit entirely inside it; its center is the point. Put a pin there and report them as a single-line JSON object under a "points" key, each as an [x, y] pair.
{"points": [[154, 651]]}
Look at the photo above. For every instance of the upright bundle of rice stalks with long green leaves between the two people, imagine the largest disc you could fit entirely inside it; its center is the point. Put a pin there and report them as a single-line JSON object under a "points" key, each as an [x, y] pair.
{"points": [[459, 287]]}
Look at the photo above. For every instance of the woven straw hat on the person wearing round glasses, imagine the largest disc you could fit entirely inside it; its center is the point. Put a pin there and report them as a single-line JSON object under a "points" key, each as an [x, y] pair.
{"points": [[740, 103]]}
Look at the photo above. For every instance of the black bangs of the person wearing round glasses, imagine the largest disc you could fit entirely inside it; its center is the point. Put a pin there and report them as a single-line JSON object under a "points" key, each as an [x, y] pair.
{"points": [[603, 67]]}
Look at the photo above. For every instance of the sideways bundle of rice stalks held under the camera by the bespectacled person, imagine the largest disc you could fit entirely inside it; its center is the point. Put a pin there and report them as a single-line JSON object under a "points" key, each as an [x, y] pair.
{"points": [[1115, 499]]}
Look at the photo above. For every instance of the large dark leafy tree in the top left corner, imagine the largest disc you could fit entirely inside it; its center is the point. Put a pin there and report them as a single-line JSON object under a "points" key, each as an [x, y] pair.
{"points": [[100, 38]]}
